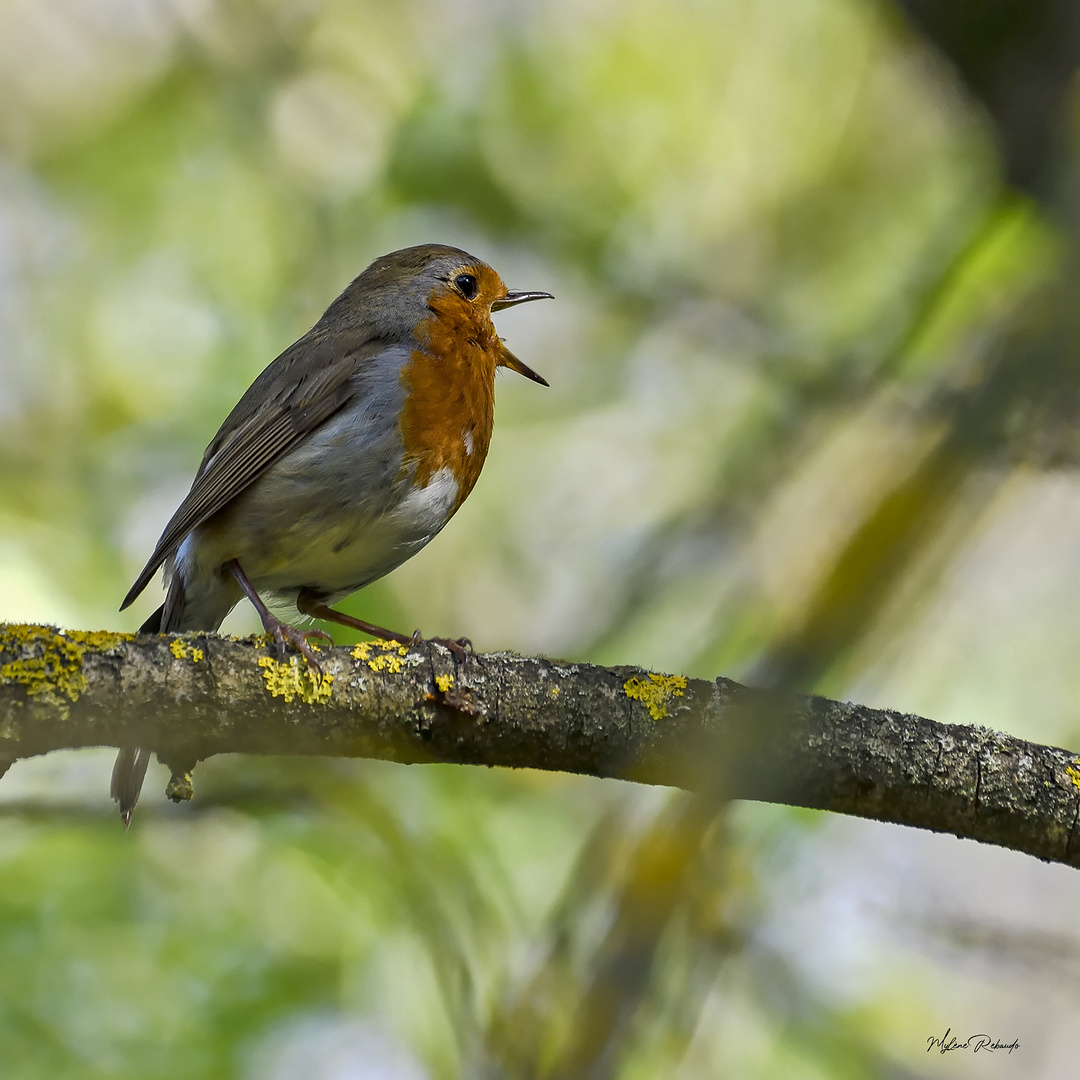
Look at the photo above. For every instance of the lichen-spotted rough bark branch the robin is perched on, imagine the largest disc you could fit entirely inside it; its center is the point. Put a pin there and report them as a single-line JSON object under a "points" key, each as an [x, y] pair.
{"points": [[190, 697]]}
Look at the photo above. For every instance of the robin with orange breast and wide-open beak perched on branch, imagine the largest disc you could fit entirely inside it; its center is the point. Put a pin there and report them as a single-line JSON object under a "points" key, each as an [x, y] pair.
{"points": [[344, 458]]}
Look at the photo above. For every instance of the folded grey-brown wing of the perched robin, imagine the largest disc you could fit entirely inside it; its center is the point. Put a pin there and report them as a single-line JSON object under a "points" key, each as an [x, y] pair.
{"points": [[302, 389]]}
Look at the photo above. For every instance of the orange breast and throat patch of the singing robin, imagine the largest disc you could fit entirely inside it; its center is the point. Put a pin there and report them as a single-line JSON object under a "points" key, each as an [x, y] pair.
{"points": [[450, 381]]}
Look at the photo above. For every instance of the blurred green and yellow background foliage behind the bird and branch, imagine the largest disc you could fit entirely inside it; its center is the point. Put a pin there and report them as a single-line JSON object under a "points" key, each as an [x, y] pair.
{"points": [[812, 424]]}
